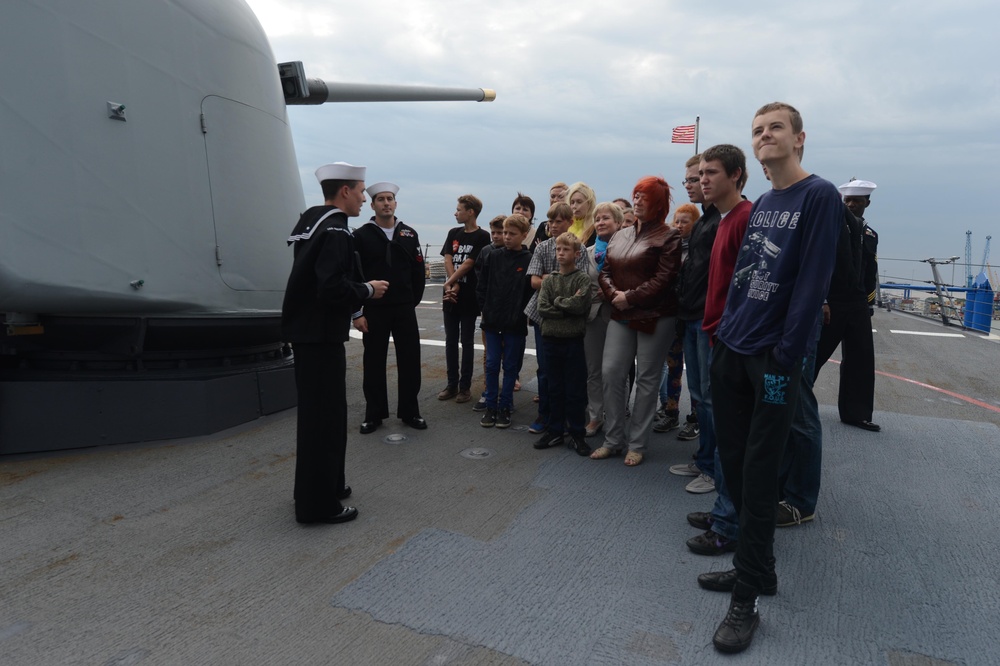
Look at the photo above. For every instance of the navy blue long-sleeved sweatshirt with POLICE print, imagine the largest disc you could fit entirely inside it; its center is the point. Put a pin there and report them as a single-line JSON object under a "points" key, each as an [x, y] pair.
{"points": [[783, 271]]}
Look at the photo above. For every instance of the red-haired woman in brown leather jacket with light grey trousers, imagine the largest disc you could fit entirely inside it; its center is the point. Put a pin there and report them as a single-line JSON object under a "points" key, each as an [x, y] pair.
{"points": [[640, 269]]}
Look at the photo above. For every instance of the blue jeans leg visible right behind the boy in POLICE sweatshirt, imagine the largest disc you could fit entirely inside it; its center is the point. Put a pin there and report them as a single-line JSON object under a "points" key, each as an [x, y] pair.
{"points": [[800, 469]]}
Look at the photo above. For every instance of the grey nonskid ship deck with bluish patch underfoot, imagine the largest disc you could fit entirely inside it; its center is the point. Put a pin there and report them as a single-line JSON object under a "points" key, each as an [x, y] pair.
{"points": [[187, 552]]}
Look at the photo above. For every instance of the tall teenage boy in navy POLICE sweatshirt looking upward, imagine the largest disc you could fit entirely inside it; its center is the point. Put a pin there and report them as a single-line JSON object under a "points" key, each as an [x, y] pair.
{"points": [[781, 276]]}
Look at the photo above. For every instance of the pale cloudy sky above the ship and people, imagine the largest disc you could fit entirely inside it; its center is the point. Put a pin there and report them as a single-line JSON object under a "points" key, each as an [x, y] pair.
{"points": [[904, 94]]}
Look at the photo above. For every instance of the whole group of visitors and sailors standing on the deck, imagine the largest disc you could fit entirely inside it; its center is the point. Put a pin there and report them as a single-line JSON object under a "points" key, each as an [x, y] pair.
{"points": [[619, 301]]}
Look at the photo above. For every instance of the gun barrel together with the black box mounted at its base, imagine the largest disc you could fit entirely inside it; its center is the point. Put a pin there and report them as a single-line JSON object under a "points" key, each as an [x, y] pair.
{"points": [[299, 90]]}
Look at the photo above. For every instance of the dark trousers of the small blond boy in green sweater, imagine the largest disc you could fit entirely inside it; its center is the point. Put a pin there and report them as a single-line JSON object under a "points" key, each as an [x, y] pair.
{"points": [[567, 386]]}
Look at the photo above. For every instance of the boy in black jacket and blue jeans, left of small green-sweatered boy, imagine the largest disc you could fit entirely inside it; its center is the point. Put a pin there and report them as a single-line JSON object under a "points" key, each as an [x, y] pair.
{"points": [[502, 291]]}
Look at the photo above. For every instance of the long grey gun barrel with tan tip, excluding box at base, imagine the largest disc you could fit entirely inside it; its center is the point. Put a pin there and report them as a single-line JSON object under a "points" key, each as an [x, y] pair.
{"points": [[322, 92]]}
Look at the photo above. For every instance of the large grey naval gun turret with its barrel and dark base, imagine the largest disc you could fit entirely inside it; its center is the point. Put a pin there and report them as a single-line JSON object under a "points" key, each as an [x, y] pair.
{"points": [[144, 218]]}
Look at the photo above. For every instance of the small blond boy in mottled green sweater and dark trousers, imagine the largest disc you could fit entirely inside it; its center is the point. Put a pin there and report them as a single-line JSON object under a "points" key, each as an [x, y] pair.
{"points": [[563, 304]]}
